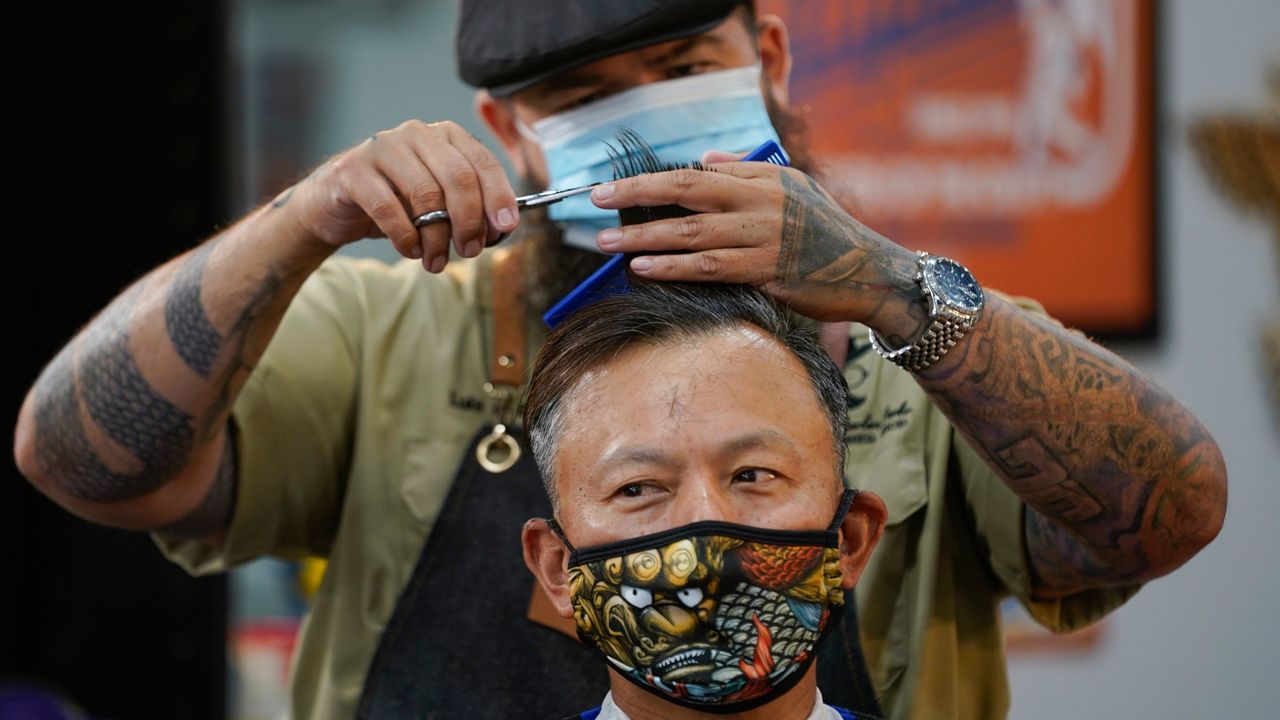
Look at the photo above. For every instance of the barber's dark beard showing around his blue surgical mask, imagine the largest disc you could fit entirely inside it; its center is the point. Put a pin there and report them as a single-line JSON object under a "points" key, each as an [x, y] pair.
{"points": [[552, 268]]}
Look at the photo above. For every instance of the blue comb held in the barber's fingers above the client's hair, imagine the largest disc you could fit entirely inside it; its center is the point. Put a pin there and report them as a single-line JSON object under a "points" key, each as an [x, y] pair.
{"points": [[637, 158]]}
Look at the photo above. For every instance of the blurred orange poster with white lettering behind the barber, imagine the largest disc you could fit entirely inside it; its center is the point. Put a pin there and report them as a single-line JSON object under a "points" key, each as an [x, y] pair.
{"points": [[1014, 136]]}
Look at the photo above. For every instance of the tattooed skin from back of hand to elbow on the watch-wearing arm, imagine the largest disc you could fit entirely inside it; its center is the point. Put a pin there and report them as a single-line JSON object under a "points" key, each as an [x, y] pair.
{"points": [[1122, 482]]}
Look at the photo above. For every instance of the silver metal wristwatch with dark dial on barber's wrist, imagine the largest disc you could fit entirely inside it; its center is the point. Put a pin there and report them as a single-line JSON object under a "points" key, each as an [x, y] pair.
{"points": [[956, 303]]}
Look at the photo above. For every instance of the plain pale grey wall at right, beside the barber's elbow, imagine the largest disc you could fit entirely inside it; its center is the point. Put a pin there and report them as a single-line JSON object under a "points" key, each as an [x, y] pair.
{"points": [[1206, 640]]}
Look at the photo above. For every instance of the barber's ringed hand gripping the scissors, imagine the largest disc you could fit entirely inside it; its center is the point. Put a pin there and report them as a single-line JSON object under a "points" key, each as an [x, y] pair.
{"points": [[378, 188]]}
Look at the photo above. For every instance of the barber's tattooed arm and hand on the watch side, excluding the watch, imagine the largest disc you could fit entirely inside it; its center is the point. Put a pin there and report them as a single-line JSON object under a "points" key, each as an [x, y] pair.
{"points": [[1122, 482]]}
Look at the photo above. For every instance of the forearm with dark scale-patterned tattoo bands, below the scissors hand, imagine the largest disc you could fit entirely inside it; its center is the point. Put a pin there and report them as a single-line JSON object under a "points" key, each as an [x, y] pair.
{"points": [[131, 402]]}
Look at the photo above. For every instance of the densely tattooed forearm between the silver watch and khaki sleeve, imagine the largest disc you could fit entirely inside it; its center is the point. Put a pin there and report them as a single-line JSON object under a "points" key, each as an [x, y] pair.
{"points": [[1122, 482]]}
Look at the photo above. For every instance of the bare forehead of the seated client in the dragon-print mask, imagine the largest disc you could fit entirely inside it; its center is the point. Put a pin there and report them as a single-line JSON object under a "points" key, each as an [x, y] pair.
{"points": [[693, 397]]}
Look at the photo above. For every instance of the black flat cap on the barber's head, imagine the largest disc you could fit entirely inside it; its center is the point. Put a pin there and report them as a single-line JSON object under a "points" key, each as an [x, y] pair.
{"points": [[509, 45]]}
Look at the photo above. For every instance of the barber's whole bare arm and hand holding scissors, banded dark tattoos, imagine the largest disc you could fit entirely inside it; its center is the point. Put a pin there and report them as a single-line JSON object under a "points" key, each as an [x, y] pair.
{"points": [[129, 426]]}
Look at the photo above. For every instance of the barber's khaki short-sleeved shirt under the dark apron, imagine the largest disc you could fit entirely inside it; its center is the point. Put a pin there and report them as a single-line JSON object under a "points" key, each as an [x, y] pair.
{"points": [[353, 426]]}
